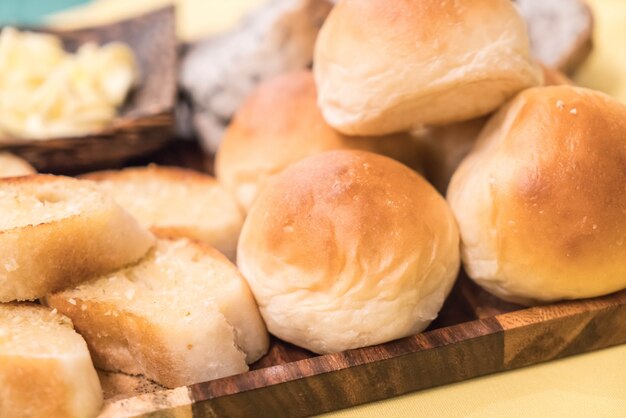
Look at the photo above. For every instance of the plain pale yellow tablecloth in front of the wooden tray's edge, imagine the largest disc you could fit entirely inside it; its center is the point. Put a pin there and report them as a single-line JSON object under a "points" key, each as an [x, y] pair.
{"points": [[589, 385]]}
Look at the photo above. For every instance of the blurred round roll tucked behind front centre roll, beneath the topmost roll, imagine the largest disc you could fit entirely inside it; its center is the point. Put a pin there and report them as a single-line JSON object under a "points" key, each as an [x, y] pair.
{"points": [[280, 124]]}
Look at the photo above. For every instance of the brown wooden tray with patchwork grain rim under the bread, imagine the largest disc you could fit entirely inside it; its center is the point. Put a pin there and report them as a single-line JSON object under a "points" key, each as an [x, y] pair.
{"points": [[475, 334]]}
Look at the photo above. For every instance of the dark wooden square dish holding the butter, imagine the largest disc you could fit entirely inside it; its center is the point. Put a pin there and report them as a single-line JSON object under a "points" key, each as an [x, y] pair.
{"points": [[144, 123]]}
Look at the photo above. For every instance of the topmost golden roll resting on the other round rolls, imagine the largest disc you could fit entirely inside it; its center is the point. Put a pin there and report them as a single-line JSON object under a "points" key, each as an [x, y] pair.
{"points": [[384, 66]]}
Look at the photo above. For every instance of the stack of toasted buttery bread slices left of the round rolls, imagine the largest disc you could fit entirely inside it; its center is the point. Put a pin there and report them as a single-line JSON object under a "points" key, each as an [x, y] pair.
{"points": [[85, 283]]}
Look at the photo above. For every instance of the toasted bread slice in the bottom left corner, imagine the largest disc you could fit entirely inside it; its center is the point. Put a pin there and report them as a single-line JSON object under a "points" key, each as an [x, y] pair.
{"points": [[45, 368]]}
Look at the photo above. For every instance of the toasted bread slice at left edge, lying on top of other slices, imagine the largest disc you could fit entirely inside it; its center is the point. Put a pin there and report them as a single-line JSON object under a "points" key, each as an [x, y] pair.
{"points": [[57, 231]]}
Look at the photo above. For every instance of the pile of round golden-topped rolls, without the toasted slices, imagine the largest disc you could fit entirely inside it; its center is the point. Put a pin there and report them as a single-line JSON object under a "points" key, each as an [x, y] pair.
{"points": [[343, 248]]}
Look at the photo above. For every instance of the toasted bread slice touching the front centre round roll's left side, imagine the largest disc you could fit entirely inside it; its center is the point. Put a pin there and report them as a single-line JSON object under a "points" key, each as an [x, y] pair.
{"points": [[183, 315]]}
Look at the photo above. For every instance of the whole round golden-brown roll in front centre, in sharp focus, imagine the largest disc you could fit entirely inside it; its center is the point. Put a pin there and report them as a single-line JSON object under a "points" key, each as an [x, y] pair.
{"points": [[347, 249]]}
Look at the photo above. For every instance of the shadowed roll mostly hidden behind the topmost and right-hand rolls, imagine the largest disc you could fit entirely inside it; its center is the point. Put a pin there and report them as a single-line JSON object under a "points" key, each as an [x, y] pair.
{"points": [[444, 147]]}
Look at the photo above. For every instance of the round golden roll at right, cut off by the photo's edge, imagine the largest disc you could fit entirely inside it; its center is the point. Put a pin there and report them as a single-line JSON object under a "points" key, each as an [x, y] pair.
{"points": [[540, 199]]}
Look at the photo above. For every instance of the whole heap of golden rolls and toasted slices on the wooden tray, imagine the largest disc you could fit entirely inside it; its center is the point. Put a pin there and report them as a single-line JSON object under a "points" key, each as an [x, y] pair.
{"points": [[339, 239]]}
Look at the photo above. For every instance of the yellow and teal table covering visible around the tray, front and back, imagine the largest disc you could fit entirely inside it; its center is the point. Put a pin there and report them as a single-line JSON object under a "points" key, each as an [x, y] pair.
{"points": [[592, 384]]}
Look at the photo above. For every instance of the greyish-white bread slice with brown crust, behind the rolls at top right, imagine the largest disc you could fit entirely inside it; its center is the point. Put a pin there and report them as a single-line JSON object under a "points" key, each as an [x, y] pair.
{"points": [[560, 31]]}
